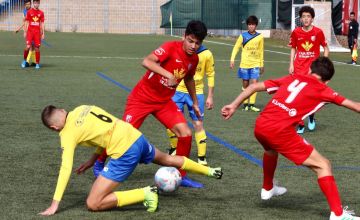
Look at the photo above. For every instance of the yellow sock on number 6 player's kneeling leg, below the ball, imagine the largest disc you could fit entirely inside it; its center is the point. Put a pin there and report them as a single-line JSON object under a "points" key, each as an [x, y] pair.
{"points": [[130, 197]]}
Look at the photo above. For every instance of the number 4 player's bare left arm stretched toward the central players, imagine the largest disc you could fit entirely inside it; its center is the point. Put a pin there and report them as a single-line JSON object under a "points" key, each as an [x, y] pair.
{"points": [[228, 110]]}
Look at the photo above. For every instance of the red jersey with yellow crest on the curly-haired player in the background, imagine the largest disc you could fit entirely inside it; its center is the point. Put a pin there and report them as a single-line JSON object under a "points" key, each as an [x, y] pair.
{"points": [[307, 45]]}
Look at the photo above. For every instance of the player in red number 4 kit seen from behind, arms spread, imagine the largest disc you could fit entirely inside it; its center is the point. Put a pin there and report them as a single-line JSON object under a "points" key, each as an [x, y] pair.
{"points": [[296, 96]]}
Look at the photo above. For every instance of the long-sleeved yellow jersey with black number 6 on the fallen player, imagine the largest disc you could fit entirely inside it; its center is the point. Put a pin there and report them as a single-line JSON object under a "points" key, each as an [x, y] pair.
{"points": [[92, 126]]}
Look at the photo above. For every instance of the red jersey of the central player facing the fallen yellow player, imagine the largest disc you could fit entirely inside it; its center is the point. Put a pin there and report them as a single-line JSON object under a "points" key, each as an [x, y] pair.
{"points": [[172, 57]]}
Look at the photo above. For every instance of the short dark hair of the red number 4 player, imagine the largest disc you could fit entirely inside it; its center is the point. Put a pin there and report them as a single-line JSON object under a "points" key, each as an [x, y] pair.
{"points": [[323, 67]]}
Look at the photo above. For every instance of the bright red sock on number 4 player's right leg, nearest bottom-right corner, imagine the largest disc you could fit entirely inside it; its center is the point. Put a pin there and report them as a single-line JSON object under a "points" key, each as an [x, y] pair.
{"points": [[328, 187]]}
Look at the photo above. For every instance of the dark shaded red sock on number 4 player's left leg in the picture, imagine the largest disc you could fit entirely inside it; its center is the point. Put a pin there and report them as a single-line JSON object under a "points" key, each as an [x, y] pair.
{"points": [[269, 166]]}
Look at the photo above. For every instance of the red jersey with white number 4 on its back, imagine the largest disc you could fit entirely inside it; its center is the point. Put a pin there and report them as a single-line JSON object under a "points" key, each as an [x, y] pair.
{"points": [[297, 96]]}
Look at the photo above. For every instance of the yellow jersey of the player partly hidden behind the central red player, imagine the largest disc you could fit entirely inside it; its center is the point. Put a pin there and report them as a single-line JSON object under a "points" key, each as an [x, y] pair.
{"points": [[205, 66]]}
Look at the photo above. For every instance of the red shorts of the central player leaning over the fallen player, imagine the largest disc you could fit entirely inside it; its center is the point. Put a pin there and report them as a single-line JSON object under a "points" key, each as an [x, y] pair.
{"points": [[167, 113]]}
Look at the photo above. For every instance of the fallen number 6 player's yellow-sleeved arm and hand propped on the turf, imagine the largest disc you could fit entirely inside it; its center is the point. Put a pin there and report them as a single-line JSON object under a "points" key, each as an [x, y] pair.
{"points": [[63, 179]]}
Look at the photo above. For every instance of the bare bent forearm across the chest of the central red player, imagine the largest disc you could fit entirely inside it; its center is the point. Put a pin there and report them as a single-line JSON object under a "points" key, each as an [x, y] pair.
{"points": [[151, 63]]}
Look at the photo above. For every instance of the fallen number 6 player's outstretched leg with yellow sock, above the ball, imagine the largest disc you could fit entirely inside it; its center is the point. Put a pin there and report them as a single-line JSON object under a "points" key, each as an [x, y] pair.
{"points": [[186, 164]]}
